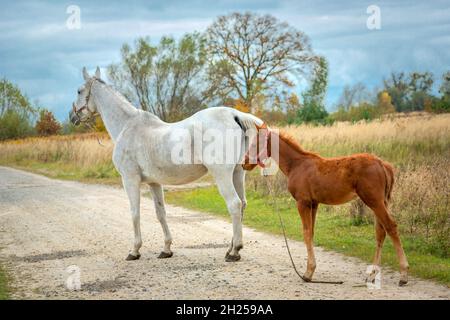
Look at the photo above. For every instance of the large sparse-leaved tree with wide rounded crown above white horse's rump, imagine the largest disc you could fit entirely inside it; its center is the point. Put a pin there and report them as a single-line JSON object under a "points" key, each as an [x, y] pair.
{"points": [[250, 54]]}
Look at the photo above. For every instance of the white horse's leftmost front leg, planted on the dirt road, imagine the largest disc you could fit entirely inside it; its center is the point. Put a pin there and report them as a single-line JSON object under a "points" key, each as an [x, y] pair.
{"points": [[132, 187]]}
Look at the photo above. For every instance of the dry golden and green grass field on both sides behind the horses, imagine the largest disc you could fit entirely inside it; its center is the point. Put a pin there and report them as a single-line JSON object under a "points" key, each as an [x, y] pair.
{"points": [[417, 145]]}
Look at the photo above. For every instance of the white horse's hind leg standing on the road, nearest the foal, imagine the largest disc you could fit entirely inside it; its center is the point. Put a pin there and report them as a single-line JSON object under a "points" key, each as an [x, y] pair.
{"points": [[226, 188]]}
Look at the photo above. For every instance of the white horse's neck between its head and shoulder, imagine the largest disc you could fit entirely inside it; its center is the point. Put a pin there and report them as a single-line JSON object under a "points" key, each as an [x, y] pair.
{"points": [[114, 109]]}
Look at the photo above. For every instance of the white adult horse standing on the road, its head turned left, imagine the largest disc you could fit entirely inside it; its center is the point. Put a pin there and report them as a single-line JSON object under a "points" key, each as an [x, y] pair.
{"points": [[144, 147]]}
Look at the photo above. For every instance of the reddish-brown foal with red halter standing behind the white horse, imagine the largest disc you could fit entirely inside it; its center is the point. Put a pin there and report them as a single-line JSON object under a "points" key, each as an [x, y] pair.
{"points": [[313, 179]]}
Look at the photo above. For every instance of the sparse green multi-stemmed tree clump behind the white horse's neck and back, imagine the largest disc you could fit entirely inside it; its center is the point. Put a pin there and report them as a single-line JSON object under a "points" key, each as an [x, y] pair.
{"points": [[164, 79]]}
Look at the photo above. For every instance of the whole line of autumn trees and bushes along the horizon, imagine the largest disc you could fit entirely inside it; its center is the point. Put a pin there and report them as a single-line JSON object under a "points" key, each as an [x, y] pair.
{"points": [[251, 62]]}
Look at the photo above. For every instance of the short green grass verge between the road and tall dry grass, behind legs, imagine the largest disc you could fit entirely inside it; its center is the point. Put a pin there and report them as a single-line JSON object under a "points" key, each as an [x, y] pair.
{"points": [[334, 230]]}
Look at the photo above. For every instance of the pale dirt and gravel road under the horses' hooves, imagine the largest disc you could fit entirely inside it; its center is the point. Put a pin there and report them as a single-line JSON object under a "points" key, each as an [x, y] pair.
{"points": [[49, 228]]}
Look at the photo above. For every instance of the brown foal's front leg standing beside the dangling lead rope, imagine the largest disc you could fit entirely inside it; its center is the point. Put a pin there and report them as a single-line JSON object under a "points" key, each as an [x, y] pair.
{"points": [[306, 213]]}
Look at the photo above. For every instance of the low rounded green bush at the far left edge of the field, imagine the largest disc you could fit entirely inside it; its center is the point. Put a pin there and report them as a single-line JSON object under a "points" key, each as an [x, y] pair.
{"points": [[15, 124]]}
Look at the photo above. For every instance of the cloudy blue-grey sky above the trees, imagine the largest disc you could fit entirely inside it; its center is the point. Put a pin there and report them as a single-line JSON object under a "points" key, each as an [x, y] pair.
{"points": [[40, 54]]}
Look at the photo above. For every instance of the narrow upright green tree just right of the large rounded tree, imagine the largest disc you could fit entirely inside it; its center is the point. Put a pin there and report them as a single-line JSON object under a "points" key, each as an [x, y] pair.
{"points": [[313, 109]]}
